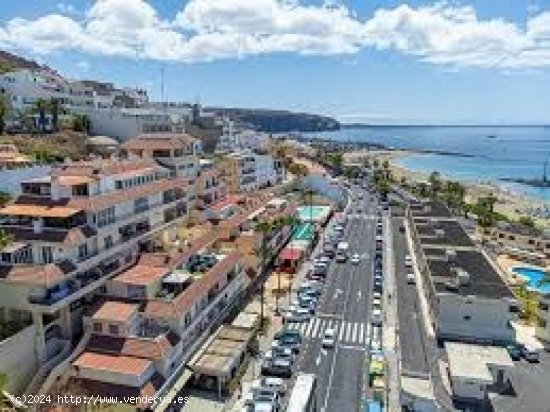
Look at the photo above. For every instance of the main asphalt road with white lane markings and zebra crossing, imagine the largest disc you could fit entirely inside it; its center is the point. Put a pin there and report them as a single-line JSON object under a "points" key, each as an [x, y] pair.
{"points": [[345, 307]]}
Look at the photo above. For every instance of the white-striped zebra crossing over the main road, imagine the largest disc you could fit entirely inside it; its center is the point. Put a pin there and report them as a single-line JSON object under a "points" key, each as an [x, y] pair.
{"points": [[344, 331]]}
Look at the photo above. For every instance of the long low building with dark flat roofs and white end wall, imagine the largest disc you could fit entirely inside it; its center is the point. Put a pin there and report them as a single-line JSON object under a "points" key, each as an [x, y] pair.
{"points": [[467, 298]]}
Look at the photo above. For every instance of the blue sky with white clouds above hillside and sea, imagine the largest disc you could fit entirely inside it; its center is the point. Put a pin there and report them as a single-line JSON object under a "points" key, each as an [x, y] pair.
{"points": [[370, 61]]}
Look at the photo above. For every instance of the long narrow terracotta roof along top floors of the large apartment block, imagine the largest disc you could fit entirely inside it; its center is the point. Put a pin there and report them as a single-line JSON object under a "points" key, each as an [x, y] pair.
{"points": [[119, 196]]}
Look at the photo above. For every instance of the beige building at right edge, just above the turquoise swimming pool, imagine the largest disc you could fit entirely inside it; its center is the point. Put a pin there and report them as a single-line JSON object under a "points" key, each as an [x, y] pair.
{"points": [[523, 242]]}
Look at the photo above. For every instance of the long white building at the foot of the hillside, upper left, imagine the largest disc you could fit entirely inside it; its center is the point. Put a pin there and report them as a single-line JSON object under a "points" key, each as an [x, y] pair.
{"points": [[124, 123]]}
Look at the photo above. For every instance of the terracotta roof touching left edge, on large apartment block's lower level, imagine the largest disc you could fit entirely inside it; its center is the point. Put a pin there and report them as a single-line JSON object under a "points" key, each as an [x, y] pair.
{"points": [[43, 275]]}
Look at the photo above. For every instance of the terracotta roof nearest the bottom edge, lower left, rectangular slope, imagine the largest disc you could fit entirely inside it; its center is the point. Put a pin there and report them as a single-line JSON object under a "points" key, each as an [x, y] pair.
{"points": [[127, 365]]}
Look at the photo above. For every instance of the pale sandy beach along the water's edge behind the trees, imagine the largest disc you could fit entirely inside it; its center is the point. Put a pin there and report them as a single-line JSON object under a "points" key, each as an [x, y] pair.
{"points": [[509, 204]]}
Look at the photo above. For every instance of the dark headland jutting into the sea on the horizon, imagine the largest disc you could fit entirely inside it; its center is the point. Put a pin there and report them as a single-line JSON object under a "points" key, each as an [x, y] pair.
{"points": [[278, 121]]}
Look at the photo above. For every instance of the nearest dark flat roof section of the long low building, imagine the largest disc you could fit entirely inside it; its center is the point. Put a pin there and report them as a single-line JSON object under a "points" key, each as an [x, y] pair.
{"points": [[484, 281]]}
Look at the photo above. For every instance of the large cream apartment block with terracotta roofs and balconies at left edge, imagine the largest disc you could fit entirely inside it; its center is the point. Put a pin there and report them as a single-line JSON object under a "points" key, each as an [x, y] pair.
{"points": [[74, 230]]}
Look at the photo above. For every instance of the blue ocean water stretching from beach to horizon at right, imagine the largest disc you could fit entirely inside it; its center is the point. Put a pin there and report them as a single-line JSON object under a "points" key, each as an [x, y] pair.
{"points": [[471, 155]]}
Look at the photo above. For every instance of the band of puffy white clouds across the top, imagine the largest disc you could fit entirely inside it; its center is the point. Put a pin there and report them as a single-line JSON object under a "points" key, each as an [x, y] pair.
{"points": [[206, 30]]}
